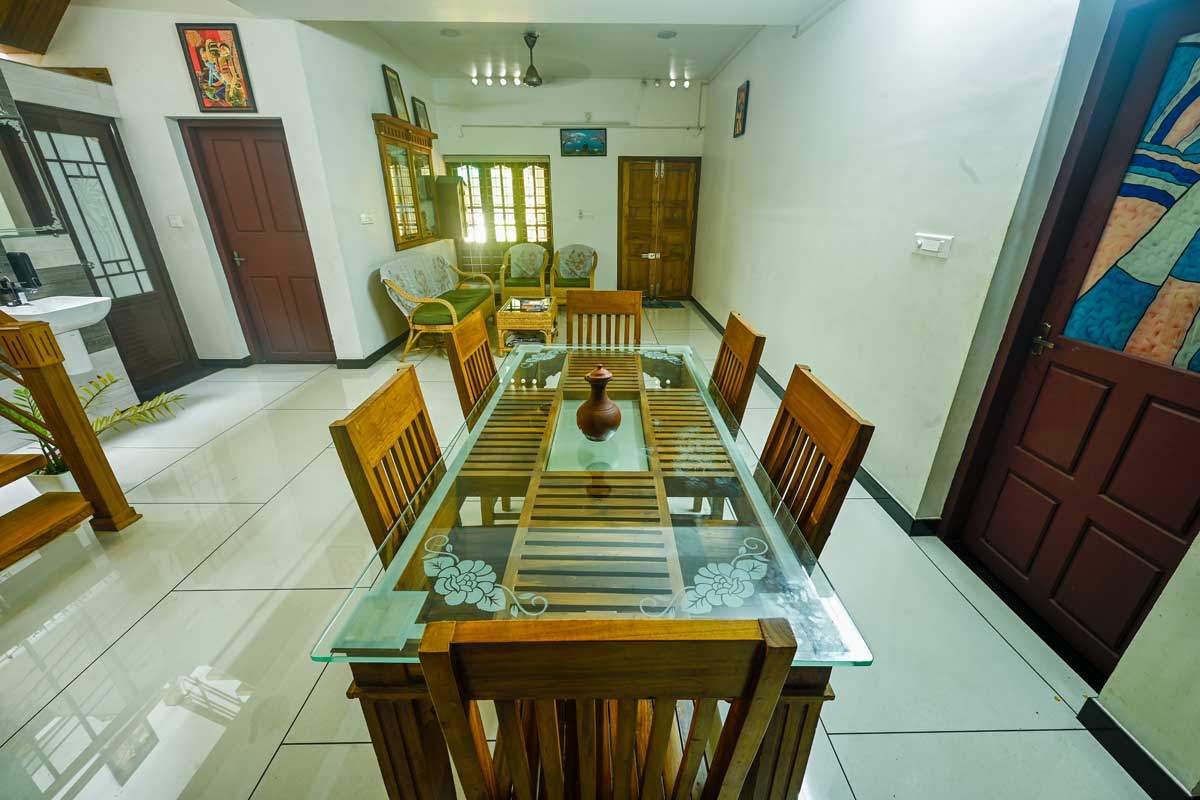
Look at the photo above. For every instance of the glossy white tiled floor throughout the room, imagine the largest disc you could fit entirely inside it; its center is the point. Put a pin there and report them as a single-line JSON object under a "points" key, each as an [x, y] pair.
{"points": [[172, 659]]}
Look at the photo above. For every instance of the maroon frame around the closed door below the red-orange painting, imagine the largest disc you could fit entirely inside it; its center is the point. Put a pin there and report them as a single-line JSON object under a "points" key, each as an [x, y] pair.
{"points": [[190, 129]]}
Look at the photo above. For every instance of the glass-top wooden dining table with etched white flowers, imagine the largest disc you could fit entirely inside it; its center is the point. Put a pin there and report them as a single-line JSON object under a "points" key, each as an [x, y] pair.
{"points": [[524, 518]]}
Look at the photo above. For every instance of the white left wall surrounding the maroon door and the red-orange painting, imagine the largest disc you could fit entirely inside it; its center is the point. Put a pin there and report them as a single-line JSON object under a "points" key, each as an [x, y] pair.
{"points": [[323, 85]]}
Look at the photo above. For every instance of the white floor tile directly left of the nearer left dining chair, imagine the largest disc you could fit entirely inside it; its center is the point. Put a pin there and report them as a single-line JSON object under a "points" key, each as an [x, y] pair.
{"points": [[310, 536]]}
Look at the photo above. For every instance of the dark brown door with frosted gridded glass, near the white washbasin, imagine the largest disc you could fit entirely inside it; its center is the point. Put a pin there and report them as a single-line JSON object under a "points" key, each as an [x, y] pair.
{"points": [[91, 175]]}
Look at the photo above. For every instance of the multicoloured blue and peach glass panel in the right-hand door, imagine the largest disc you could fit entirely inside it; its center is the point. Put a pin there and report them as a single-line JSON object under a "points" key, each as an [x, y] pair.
{"points": [[1142, 293]]}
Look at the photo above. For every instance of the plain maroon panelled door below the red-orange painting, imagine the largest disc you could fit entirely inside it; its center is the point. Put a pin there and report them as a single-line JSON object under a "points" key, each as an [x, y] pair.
{"points": [[250, 194]]}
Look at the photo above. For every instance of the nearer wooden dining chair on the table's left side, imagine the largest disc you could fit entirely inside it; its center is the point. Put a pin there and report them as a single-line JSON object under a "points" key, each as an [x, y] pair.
{"points": [[388, 450]]}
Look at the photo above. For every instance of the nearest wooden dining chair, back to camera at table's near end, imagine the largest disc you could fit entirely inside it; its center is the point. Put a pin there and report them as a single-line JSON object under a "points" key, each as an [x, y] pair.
{"points": [[587, 708]]}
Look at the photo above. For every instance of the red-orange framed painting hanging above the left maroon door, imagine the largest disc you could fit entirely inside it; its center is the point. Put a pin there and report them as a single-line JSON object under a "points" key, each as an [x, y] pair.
{"points": [[218, 68]]}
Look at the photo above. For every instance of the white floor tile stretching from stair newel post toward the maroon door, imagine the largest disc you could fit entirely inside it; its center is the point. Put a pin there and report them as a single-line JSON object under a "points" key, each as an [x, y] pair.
{"points": [[249, 464]]}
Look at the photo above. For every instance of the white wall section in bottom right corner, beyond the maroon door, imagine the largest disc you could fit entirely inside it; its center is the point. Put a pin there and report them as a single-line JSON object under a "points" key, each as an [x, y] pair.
{"points": [[1155, 691]]}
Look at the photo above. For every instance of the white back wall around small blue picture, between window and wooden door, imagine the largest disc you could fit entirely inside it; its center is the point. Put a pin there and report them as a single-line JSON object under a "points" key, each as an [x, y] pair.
{"points": [[495, 121]]}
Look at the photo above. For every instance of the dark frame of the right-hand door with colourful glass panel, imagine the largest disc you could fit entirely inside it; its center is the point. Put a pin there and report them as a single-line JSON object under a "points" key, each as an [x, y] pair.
{"points": [[1112, 75]]}
